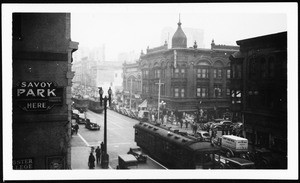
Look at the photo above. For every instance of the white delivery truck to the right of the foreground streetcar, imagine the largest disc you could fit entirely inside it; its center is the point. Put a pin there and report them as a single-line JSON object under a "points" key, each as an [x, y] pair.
{"points": [[234, 146]]}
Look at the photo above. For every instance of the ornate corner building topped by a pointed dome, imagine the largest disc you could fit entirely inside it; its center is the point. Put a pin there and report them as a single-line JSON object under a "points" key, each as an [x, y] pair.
{"points": [[191, 78]]}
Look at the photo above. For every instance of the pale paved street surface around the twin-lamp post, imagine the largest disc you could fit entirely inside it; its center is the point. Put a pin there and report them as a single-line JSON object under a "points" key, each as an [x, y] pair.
{"points": [[120, 137]]}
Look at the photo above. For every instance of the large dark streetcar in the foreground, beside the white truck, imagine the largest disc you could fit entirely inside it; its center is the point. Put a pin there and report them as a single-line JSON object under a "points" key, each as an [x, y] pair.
{"points": [[174, 150]]}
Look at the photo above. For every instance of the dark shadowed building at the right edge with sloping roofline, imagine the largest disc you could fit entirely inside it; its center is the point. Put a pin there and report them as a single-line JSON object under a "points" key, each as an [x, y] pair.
{"points": [[259, 88]]}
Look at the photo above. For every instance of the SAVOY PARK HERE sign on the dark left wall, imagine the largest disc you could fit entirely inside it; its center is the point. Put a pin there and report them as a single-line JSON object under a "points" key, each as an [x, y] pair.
{"points": [[37, 95]]}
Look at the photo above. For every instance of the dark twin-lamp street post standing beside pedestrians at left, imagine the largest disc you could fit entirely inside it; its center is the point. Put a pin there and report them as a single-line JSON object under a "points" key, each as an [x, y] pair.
{"points": [[105, 157]]}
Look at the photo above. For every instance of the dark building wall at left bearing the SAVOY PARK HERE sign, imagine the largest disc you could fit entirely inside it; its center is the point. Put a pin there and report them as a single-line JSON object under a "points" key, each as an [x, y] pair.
{"points": [[42, 61]]}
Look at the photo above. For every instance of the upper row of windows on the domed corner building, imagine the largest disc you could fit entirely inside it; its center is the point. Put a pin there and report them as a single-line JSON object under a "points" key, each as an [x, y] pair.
{"points": [[181, 73]]}
